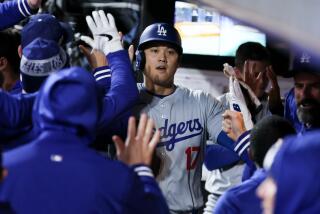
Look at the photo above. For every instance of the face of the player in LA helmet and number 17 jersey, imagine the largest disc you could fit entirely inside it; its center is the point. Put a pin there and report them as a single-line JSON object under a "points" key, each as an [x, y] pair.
{"points": [[162, 62]]}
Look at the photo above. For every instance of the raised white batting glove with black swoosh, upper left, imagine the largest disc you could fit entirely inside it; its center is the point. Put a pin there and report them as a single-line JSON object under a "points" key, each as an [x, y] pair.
{"points": [[105, 34]]}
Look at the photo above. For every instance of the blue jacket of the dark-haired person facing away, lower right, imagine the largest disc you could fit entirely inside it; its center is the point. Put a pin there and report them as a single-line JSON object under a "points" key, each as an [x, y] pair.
{"points": [[242, 198]]}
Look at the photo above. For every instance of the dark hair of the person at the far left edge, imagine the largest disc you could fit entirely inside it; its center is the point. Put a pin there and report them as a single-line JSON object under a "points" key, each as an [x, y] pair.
{"points": [[9, 43]]}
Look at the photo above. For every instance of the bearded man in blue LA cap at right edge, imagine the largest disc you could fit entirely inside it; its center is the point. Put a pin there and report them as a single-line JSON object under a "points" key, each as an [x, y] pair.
{"points": [[302, 102]]}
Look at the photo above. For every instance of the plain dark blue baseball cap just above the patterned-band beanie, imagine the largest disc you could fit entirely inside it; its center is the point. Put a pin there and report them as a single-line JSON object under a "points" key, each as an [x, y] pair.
{"points": [[45, 26]]}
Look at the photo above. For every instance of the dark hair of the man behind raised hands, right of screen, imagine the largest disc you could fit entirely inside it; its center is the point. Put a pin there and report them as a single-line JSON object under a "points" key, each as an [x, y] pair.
{"points": [[251, 51]]}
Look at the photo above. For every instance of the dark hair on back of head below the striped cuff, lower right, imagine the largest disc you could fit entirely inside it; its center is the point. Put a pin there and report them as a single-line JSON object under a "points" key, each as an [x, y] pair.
{"points": [[265, 133]]}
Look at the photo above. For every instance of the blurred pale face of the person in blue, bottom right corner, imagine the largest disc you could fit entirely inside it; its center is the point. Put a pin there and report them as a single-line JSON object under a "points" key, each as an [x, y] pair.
{"points": [[267, 192]]}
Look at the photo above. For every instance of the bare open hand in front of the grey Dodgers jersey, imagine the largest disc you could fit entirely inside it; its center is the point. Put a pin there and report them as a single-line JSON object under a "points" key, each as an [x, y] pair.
{"points": [[140, 144]]}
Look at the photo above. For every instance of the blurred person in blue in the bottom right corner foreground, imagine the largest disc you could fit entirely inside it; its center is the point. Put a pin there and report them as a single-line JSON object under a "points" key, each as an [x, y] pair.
{"points": [[293, 184]]}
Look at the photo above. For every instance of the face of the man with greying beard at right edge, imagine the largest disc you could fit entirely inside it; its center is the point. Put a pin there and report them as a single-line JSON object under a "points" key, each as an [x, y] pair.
{"points": [[307, 95]]}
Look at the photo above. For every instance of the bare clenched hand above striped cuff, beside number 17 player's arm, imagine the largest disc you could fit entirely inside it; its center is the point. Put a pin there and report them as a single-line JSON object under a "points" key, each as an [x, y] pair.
{"points": [[233, 124]]}
